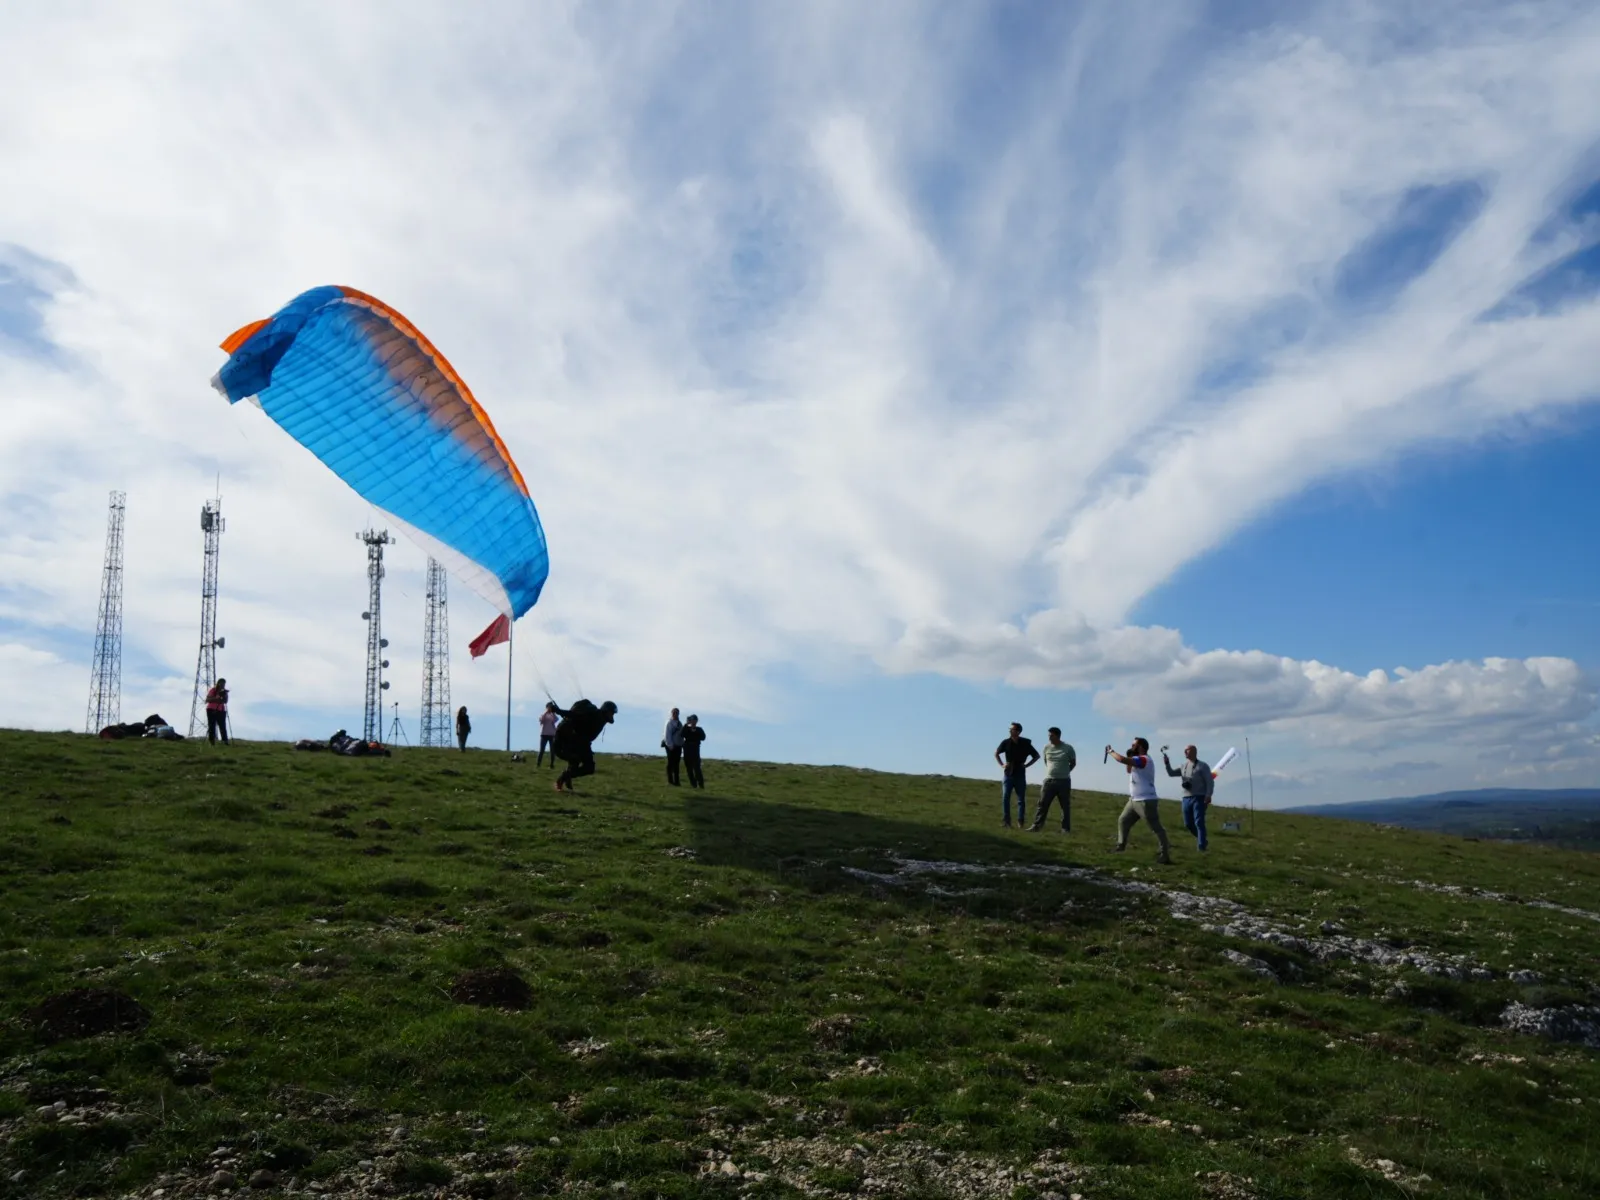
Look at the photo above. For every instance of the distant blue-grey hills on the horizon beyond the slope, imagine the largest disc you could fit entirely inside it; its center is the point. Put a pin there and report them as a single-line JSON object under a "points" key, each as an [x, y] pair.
{"points": [[1567, 817]]}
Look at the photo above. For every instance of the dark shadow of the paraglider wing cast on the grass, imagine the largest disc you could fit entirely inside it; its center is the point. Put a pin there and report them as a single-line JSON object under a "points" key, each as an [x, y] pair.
{"points": [[830, 850]]}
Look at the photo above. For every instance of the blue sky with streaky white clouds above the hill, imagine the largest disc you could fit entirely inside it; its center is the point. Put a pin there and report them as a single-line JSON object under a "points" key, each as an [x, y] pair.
{"points": [[882, 374]]}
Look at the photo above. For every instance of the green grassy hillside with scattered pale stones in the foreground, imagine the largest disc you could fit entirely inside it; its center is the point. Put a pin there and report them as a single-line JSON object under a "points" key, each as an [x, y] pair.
{"points": [[802, 982]]}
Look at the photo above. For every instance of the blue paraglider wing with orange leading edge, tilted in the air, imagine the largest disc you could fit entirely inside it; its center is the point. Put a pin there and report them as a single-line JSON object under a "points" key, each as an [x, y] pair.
{"points": [[364, 391]]}
